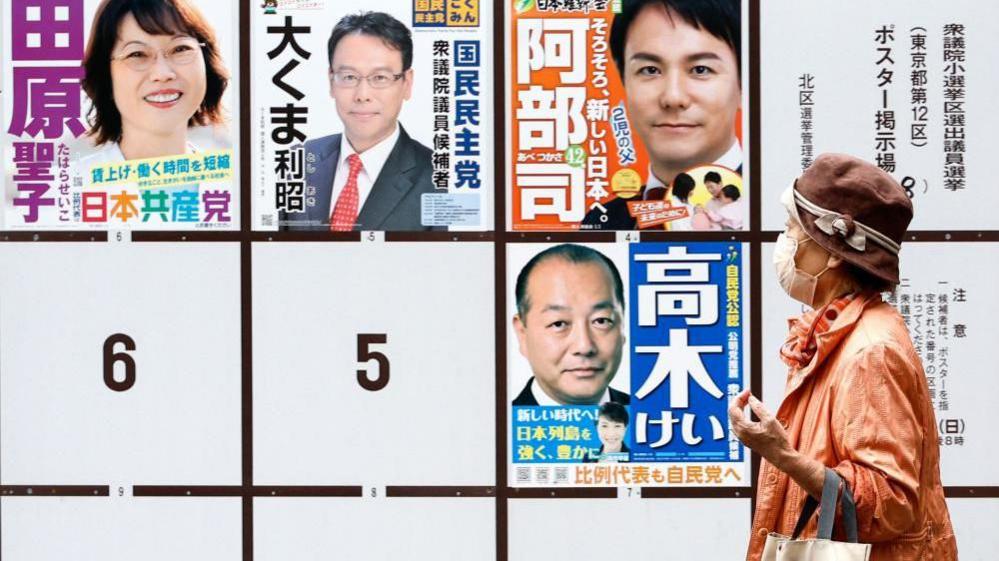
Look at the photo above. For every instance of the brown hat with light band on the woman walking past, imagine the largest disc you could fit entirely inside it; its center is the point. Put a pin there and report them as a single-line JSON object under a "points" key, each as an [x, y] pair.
{"points": [[854, 210]]}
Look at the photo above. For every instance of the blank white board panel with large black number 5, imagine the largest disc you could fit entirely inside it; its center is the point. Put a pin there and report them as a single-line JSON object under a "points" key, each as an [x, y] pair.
{"points": [[432, 423]]}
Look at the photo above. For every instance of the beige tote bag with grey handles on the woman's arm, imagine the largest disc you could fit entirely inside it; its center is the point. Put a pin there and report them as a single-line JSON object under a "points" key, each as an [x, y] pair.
{"points": [[823, 548]]}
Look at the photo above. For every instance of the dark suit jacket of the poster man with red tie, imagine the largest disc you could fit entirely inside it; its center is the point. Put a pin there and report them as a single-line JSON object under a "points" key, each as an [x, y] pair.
{"points": [[394, 201]]}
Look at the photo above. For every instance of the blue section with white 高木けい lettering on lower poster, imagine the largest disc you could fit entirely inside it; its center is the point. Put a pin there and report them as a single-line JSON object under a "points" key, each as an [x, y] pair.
{"points": [[686, 351]]}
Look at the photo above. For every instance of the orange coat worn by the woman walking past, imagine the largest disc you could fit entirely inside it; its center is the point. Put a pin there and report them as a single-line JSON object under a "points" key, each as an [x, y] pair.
{"points": [[862, 407]]}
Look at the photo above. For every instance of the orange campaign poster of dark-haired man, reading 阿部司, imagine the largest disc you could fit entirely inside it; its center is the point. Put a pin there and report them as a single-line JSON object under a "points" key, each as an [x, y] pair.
{"points": [[627, 115]]}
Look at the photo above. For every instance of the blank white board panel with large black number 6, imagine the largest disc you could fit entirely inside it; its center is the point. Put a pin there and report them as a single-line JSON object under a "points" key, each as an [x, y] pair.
{"points": [[179, 422]]}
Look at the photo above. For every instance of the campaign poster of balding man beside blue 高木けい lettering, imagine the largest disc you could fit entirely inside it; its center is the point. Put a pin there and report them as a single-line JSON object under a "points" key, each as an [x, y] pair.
{"points": [[623, 360]]}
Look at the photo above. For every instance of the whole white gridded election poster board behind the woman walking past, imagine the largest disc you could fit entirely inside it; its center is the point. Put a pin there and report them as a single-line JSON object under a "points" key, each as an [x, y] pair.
{"points": [[227, 391]]}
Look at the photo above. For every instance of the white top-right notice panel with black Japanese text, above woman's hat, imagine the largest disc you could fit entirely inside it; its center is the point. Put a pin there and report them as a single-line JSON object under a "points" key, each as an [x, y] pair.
{"points": [[908, 86]]}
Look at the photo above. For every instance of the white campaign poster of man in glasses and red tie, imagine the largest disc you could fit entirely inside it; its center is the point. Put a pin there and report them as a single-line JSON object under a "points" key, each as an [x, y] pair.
{"points": [[372, 117]]}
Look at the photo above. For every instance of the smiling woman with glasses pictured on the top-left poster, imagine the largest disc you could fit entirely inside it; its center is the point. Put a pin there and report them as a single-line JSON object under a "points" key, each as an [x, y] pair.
{"points": [[152, 71]]}
